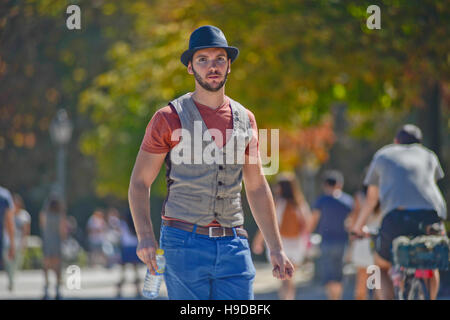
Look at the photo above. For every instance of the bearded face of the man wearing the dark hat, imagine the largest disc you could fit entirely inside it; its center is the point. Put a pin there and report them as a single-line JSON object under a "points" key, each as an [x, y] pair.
{"points": [[210, 68]]}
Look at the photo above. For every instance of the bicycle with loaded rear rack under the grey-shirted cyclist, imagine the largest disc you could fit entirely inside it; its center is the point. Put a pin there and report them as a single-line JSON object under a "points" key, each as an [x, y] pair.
{"points": [[415, 258]]}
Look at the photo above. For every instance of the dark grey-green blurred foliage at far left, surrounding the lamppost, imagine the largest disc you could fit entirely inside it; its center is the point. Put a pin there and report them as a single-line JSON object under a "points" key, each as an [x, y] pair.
{"points": [[43, 67]]}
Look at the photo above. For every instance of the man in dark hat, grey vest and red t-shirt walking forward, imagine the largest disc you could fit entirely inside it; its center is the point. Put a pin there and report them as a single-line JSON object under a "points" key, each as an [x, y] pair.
{"points": [[209, 145]]}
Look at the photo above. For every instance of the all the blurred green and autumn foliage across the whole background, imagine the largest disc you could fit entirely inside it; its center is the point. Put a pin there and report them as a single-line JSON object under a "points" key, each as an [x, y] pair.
{"points": [[298, 60]]}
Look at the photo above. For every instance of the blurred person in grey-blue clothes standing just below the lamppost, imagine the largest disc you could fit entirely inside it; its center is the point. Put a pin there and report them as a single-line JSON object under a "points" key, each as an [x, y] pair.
{"points": [[53, 230]]}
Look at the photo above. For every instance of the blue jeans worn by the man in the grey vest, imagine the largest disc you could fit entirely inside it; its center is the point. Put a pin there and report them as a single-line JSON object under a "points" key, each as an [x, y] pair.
{"points": [[202, 268]]}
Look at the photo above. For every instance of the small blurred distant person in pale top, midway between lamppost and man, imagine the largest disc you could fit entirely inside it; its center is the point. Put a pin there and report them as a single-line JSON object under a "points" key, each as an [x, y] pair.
{"points": [[96, 230]]}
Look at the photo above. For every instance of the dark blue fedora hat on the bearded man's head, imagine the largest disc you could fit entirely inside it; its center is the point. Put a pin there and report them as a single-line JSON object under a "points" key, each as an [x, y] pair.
{"points": [[208, 37]]}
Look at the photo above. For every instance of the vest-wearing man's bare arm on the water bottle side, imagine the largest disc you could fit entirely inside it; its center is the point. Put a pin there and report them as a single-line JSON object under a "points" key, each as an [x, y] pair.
{"points": [[145, 171]]}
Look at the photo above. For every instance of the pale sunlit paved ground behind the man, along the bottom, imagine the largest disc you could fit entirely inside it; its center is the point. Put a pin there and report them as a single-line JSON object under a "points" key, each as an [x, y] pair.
{"points": [[100, 283]]}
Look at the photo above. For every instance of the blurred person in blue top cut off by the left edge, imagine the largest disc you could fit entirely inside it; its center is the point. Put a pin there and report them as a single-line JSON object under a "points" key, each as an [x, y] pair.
{"points": [[7, 223]]}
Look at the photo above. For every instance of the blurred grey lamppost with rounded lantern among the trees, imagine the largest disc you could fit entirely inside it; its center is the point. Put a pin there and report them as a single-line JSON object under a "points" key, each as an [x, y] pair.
{"points": [[61, 132]]}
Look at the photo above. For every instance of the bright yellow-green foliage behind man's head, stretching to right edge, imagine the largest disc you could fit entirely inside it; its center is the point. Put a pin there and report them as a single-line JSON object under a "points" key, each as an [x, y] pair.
{"points": [[297, 59]]}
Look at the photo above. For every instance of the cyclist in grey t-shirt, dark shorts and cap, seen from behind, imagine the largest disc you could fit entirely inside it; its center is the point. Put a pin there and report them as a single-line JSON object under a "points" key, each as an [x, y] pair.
{"points": [[402, 176]]}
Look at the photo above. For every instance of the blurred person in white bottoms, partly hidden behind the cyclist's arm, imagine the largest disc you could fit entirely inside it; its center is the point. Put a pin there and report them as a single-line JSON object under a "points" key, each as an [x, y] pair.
{"points": [[362, 254]]}
